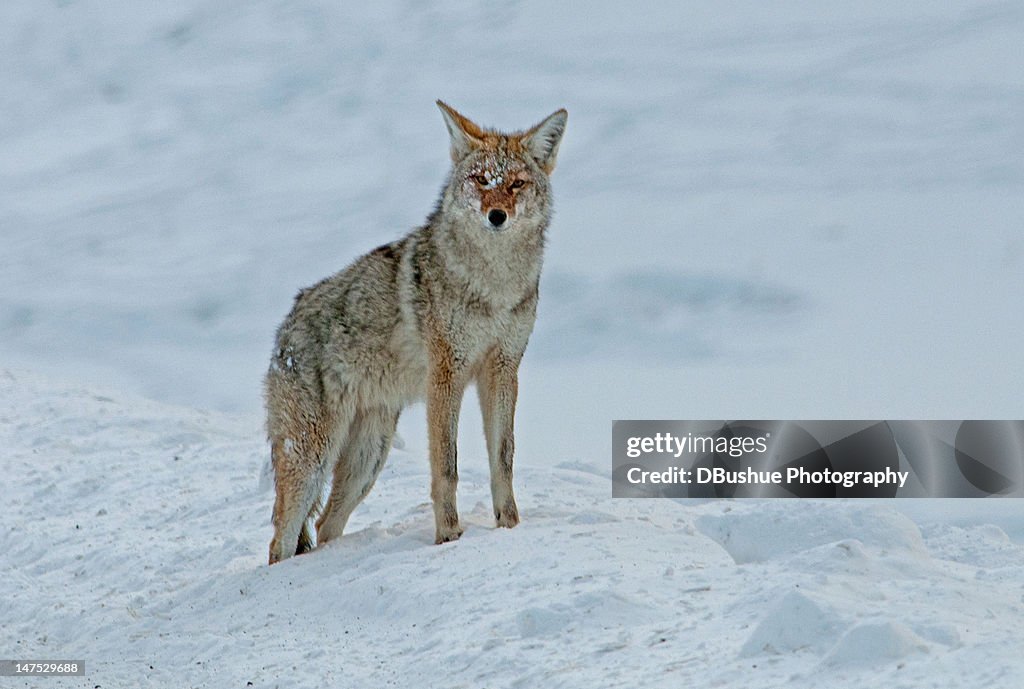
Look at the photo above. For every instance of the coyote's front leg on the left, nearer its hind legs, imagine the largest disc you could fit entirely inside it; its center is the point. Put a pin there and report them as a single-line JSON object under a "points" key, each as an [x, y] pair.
{"points": [[446, 386]]}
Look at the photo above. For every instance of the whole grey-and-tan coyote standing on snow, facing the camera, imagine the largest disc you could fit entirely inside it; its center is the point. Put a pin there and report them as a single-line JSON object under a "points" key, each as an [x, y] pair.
{"points": [[452, 303]]}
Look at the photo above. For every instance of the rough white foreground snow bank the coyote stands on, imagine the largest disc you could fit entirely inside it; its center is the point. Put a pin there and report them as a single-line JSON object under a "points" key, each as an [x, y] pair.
{"points": [[137, 542]]}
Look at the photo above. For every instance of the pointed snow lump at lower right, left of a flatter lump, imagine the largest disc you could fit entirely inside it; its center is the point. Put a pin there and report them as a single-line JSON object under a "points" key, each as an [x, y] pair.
{"points": [[796, 623]]}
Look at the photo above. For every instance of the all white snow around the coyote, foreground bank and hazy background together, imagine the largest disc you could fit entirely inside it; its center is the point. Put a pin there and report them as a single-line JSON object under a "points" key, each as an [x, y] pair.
{"points": [[765, 210]]}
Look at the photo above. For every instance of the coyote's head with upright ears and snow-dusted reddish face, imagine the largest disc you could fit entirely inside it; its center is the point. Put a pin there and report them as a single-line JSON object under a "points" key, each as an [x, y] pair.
{"points": [[500, 182]]}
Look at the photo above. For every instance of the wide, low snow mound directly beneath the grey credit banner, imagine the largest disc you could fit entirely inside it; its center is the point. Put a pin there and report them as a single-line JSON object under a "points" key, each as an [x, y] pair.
{"points": [[767, 532]]}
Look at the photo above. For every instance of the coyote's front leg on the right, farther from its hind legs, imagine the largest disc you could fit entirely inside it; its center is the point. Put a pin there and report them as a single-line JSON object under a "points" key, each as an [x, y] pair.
{"points": [[498, 385]]}
